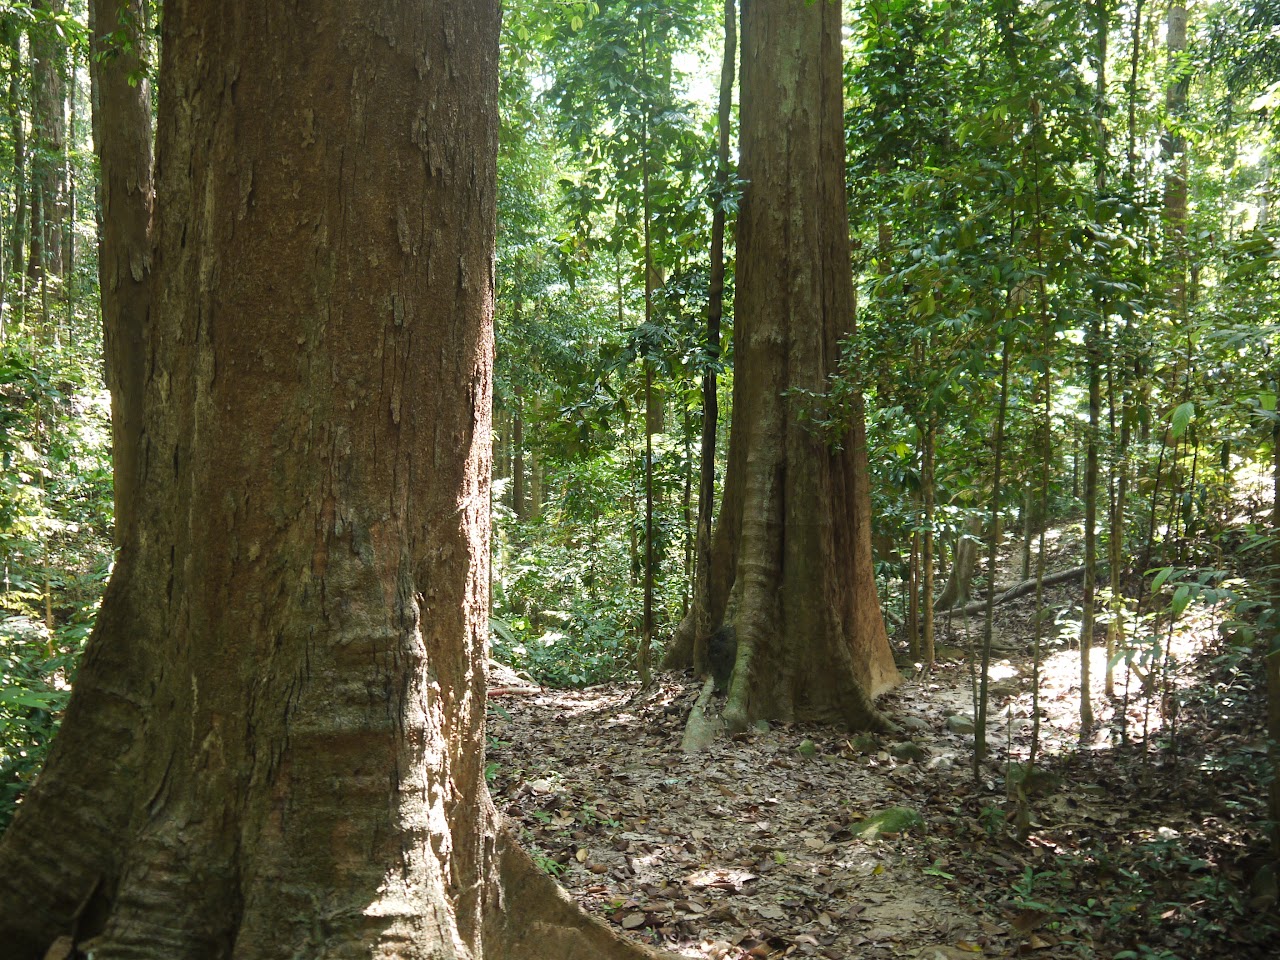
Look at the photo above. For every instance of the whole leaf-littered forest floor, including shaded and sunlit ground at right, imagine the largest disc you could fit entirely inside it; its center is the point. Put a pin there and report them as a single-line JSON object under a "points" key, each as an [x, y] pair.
{"points": [[1142, 840]]}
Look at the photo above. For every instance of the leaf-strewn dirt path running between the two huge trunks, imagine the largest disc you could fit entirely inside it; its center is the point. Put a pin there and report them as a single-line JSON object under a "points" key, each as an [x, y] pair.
{"points": [[749, 847]]}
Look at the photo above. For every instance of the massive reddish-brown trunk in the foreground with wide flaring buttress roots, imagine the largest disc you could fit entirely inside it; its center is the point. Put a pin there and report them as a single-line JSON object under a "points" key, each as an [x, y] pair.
{"points": [[301, 760]]}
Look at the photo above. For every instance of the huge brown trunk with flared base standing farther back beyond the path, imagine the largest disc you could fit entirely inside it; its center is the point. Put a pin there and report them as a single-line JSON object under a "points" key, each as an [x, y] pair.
{"points": [[796, 527]]}
